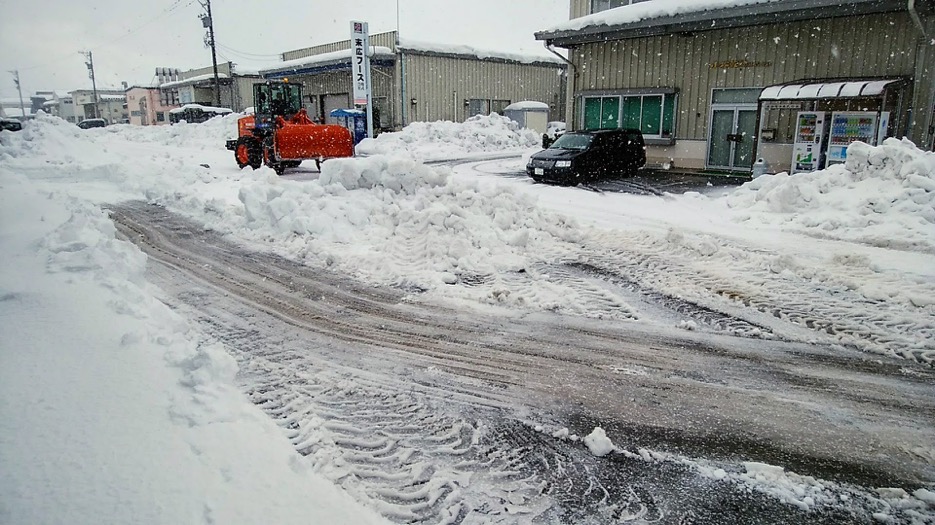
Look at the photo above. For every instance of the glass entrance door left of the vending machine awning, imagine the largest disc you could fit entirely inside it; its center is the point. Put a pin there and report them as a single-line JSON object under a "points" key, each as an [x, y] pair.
{"points": [[730, 145]]}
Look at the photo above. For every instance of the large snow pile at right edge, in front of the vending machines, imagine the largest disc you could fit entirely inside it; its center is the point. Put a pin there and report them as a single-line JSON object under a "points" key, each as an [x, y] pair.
{"points": [[883, 195]]}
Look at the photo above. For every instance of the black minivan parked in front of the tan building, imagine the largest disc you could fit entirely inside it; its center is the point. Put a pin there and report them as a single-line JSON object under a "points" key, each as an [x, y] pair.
{"points": [[586, 156]]}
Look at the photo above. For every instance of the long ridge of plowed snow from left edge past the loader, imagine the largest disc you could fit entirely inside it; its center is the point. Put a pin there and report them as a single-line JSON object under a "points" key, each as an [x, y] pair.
{"points": [[388, 220]]}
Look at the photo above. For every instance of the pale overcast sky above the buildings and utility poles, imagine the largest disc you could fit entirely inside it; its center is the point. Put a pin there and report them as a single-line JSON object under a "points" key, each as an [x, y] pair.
{"points": [[129, 39]]}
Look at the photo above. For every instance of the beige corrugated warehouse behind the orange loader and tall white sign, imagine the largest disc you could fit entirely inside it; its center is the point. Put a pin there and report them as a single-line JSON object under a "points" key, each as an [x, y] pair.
{"points": [[423, 82]]}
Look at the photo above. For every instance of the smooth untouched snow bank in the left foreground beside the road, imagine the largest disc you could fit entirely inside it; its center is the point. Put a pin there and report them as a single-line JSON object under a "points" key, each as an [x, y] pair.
{"points": [[112, 407]]}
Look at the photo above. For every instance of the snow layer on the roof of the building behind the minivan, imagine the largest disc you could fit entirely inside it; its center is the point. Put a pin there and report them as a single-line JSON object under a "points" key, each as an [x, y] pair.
{"points": [[651, 9]]}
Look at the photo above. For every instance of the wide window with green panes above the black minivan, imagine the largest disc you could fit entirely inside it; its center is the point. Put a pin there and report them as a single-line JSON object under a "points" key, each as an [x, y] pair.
{"points": [[653, 113]]}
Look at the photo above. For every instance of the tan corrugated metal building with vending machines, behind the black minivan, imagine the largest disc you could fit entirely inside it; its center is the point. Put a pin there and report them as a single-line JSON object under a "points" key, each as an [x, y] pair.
{"points": [[718, 88]]}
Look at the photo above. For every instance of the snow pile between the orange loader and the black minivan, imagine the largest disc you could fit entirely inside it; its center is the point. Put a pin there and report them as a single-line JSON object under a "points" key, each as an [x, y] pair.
{"points": [[449, 140]]}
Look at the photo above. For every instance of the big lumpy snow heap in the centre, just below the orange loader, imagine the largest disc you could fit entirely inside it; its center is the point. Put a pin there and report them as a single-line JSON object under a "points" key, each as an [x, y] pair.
{"points": [[398, 222]]}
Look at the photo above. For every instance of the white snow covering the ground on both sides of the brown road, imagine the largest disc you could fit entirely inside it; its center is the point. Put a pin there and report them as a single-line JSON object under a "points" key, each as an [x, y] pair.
{"points": [[113, 406]]}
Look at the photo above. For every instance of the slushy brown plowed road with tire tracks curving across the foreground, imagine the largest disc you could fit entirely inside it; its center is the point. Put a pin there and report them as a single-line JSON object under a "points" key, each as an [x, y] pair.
{"points": [[433, 414]]}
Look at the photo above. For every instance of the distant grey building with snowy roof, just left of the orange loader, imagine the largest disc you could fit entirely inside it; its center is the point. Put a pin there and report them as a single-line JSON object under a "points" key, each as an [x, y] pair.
{"points": [[197, 86]]}
